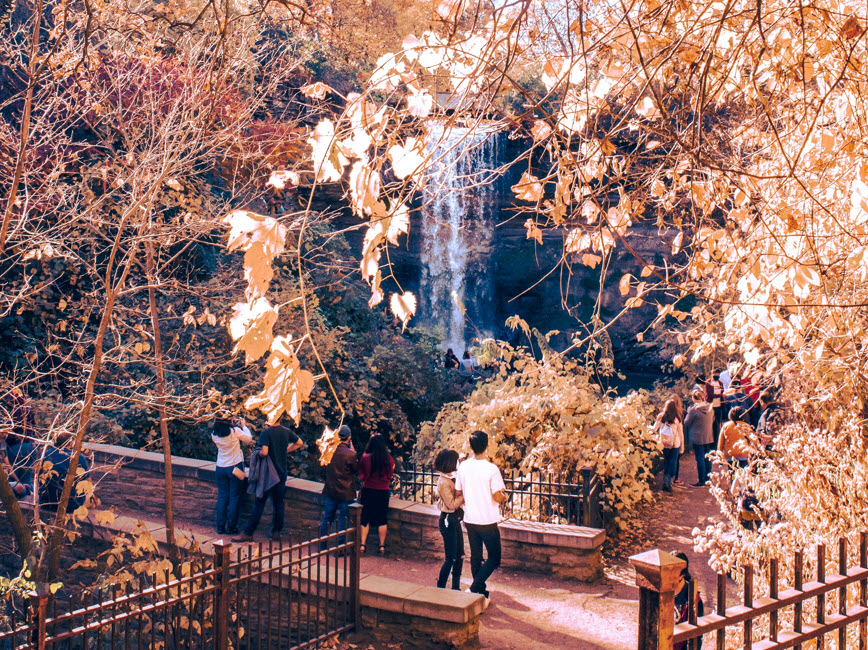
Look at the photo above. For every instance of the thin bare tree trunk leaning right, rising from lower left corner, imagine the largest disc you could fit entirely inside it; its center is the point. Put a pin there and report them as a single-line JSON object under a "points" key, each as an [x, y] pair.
{"points": [[52, 549]]}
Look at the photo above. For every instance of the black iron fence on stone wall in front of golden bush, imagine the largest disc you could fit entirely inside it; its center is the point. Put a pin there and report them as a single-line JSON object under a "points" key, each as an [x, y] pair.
{"points": [[564, 498]]}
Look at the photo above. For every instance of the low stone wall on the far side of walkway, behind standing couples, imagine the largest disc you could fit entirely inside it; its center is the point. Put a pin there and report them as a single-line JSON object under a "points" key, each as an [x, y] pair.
{"points": [[133, 481]]}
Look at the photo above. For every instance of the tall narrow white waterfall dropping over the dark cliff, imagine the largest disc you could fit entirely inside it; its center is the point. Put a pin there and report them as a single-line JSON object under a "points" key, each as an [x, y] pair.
{"points": [[458, 226]]}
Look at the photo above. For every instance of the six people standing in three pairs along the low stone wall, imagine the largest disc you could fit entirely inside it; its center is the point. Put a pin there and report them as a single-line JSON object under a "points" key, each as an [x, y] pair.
{"points": [[469, 493]]}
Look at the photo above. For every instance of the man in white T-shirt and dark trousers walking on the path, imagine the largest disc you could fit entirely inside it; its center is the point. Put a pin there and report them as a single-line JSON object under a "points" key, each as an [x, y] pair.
{"points": [[481, 484]]}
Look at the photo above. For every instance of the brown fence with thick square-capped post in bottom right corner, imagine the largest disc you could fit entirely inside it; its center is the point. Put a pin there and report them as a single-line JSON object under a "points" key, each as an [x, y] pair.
{"points": [[840, 599]]}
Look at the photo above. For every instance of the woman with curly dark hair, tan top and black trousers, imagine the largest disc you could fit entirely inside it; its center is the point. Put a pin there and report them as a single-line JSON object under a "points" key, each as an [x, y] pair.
{"points": [[451, 514]]}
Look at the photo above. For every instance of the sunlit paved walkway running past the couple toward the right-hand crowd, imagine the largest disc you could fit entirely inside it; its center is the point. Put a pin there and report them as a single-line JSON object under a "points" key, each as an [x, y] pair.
{"points": [[530, 612]]}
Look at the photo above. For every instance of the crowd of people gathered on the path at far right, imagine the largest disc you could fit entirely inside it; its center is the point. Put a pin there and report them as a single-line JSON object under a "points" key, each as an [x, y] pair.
{"points": [[737, 417]]}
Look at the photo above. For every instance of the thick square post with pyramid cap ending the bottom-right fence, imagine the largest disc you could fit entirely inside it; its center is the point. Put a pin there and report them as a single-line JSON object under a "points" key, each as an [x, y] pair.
{"points": [[657, 575]]}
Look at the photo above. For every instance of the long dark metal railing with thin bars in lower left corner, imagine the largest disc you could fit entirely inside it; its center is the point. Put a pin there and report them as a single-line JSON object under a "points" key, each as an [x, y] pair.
{"points": [[279, 594]]}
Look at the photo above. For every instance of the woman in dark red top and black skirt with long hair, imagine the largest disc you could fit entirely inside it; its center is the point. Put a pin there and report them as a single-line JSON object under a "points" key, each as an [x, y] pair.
{"points": [[375, 470]]}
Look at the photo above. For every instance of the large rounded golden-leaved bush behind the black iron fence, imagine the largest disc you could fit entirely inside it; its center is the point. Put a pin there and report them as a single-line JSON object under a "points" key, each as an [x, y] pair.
{"points": [[547, 415]]}
